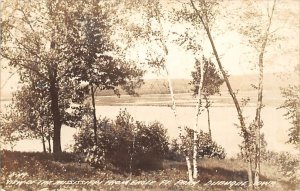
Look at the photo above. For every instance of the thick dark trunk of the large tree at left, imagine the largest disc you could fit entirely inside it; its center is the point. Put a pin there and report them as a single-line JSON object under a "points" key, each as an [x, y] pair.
{"points": [[54, 94]]}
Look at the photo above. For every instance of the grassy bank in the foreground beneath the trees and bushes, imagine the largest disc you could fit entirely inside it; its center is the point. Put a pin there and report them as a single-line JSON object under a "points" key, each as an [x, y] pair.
{"points": [[69, 167]]}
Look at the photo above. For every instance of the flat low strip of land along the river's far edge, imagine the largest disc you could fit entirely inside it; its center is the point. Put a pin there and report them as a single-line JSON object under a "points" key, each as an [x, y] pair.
{"points": [[271, 98]]}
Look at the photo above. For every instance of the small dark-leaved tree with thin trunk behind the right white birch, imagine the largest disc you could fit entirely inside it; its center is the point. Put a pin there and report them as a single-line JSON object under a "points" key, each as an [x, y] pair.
{"points": [[211, 84]]}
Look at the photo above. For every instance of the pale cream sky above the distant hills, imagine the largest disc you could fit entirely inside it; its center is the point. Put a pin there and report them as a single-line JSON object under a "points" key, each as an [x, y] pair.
{"points": [[236, 56]]}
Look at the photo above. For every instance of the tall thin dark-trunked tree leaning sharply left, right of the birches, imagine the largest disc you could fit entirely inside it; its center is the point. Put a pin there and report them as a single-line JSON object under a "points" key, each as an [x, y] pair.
{"points": [[202, 14]]}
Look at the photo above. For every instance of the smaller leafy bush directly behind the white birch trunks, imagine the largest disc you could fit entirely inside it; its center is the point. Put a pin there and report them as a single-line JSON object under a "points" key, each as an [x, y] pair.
{"points": [[206, 146]]}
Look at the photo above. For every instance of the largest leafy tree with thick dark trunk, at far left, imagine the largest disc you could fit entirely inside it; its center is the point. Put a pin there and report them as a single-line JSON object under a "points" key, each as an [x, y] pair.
{"points": [[49, 40]]}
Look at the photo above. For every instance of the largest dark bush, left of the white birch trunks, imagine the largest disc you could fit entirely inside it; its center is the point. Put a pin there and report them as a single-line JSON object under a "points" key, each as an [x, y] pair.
{"points": [[125, 143]]}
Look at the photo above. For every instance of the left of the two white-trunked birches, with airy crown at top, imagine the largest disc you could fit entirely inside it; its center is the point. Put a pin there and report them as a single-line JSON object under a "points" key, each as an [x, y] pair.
{"points": [[151, 31]]}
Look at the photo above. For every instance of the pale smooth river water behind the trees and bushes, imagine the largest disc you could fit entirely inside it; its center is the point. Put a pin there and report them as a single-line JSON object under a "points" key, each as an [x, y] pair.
{"points": [[224, 132]]}
